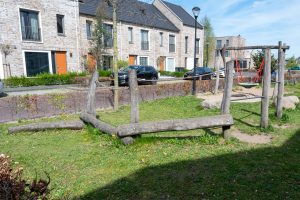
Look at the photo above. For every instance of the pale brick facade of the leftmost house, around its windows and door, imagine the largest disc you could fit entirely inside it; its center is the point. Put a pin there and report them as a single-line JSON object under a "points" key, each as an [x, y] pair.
{"points": [[11, 34]]}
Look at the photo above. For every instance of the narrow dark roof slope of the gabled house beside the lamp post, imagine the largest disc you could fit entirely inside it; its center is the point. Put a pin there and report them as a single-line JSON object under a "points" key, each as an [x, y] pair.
{"points": [[185, 17]]}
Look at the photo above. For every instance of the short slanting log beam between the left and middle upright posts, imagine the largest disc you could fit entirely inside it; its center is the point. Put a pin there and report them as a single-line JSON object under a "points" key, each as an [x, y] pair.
{"points": [[102, 126]]}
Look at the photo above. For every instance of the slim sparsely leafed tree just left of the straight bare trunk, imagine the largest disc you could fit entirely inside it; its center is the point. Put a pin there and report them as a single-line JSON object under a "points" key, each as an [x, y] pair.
{"points": [[97, 43]]}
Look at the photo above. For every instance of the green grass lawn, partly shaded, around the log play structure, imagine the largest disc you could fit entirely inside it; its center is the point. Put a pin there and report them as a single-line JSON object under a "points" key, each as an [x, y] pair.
{"points": [[173, 165]]}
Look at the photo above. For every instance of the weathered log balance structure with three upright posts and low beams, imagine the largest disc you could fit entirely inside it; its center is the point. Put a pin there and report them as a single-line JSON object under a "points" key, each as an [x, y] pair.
{"points": [[127, 131]]}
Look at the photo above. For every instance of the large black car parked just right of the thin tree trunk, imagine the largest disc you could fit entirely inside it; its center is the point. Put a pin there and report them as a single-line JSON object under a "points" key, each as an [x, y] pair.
{"points": [[145, 74]]}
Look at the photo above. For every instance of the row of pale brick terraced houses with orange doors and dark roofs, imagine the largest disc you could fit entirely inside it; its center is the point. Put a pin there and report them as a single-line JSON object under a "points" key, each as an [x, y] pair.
{"points": [[42, 36]]}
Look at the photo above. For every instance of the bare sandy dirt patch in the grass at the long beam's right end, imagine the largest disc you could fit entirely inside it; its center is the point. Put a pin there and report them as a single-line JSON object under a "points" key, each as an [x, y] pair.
{"points": [[252, 139]]}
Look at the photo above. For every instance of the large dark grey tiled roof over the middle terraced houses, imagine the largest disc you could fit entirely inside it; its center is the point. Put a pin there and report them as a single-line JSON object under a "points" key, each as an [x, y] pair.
{"points": [[132, 11]]}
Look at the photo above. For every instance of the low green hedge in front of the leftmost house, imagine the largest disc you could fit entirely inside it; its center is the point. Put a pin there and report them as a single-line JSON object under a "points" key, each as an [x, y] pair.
{"points": [[43, 79]]}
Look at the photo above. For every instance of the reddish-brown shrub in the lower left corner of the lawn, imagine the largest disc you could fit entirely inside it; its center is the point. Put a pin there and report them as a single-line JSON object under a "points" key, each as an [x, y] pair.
{"points": [[13, 186]]}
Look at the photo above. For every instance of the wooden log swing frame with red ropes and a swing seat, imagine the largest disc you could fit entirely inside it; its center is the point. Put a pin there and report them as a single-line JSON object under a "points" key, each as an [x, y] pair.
{"points": [[264, 73]]}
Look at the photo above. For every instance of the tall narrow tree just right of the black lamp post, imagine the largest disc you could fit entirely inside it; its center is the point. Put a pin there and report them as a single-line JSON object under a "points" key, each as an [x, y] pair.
{"points": [[209, 42]]}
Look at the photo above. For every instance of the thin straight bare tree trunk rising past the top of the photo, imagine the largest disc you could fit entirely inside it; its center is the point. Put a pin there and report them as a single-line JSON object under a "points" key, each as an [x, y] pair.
{"points": [[115, 59]]}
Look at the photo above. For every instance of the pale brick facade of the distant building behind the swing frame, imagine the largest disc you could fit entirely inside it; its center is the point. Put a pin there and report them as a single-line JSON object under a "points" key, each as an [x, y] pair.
{"points": [[233, 41]]}
